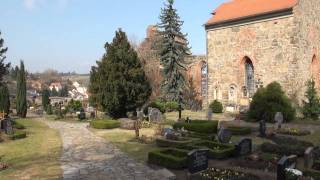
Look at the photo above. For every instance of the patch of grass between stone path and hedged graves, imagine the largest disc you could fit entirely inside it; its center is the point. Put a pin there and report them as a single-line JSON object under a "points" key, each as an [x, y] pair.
{"points": [[126, 142]]}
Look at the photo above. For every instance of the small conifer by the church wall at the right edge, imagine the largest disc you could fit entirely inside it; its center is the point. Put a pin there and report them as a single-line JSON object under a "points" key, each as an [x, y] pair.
{"points": [[311, 107]]}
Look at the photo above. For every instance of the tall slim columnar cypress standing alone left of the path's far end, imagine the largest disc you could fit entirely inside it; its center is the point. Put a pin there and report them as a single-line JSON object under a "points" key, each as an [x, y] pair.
{"points": [[21, 92]]}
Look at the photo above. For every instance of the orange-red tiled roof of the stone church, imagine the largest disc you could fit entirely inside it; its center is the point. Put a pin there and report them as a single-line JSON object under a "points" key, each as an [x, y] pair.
{"points": [[237, 9]]}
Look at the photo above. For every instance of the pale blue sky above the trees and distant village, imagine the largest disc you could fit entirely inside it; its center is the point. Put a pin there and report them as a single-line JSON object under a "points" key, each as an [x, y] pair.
{"points": [[69, 35]]}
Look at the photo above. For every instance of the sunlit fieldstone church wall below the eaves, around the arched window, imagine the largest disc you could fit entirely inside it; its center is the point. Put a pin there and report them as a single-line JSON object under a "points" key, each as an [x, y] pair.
{"points": [[270, 45]]}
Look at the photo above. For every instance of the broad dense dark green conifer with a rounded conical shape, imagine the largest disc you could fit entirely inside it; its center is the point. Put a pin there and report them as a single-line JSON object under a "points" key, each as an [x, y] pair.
{"points": [[120, 76]]}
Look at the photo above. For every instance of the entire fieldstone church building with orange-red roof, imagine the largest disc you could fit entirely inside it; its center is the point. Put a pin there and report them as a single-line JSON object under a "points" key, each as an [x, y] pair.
{"points": [[251, 43]]}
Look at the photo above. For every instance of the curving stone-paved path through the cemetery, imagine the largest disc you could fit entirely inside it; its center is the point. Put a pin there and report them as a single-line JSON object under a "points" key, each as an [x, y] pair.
{"points": [[87, 156]]}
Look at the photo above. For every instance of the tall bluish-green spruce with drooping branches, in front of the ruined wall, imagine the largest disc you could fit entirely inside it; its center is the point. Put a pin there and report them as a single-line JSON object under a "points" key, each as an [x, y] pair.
{"points": [[172, 56]]}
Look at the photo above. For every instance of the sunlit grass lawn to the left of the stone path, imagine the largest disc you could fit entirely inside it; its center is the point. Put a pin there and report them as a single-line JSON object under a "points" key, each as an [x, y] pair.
{"points": [[35, 157]]}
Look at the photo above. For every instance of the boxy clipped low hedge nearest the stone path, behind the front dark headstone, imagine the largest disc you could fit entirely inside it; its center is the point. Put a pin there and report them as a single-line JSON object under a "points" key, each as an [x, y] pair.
{"points": [[169, 158]]}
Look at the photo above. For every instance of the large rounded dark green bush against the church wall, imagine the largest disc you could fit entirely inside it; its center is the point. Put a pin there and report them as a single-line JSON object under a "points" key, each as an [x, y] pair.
{"points": [[268, 101]]}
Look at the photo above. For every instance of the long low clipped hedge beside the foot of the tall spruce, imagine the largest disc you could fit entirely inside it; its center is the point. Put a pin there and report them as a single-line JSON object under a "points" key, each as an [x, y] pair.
{"points": [[208, 127]]}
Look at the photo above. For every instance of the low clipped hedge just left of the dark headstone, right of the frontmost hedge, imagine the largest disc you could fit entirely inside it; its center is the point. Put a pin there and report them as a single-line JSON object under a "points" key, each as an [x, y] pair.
{"points": [[217, 150]]}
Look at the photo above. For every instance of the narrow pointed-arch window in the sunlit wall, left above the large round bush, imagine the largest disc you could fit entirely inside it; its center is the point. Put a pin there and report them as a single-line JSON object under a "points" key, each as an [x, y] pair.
{"points": [[249, 77]]}
